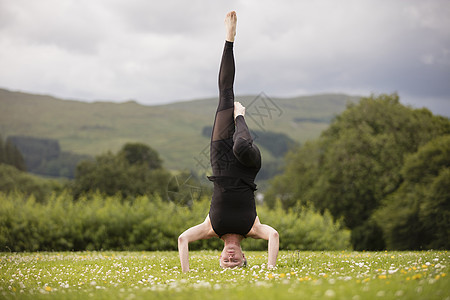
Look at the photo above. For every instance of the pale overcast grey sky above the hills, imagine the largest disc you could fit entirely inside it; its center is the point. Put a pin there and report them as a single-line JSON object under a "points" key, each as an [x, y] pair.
{"points": [[157, 52]]}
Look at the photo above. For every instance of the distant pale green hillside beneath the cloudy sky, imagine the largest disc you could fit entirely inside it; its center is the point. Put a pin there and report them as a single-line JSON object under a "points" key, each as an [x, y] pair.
{"points": [[174, 130]]}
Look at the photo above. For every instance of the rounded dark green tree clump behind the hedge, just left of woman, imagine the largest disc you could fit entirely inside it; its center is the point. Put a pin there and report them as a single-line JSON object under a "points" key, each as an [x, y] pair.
{"points": [[136, 170]]}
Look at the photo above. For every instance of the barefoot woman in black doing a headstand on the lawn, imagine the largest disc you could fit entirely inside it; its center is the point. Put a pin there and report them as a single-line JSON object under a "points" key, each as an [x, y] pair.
{"points": [[235, 161]]}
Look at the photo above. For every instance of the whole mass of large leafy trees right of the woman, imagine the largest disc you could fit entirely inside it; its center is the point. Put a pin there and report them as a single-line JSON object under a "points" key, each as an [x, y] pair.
{"points": [[383, 168]]}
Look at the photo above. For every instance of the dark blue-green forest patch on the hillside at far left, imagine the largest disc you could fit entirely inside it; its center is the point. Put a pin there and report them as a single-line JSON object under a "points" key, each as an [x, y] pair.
{"points": [[44, 156]]}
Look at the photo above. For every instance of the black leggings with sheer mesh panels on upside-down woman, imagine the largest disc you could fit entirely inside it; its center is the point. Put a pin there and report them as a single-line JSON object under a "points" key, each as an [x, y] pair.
{"points": [[230, 141]]}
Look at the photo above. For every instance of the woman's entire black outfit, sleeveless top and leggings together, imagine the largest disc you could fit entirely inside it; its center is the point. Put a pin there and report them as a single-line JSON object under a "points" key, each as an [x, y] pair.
{"points": [[235, 160]]}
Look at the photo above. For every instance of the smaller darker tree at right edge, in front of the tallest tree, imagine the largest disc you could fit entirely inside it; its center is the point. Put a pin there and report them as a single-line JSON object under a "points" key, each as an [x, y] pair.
{"points": [[417, 215]]}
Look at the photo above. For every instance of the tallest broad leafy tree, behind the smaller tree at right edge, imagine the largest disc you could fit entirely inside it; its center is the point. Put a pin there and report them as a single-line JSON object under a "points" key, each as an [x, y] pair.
{"points": [[356, 163]]}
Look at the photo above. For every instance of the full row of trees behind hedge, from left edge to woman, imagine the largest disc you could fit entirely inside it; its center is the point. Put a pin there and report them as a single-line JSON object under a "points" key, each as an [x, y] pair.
{"points": [[135, 170]]}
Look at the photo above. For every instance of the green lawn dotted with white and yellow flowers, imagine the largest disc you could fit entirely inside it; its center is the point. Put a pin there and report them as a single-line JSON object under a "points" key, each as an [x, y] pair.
{"points": [[157, 275]]}
